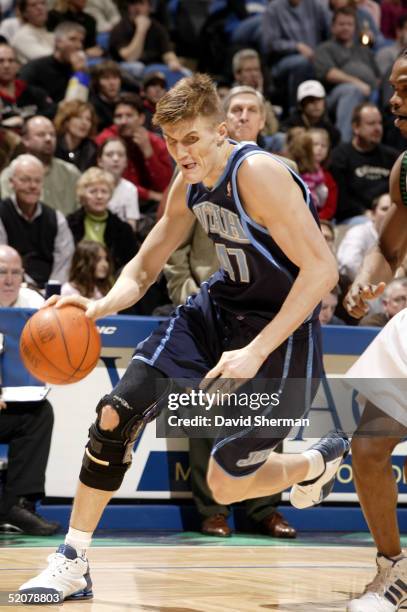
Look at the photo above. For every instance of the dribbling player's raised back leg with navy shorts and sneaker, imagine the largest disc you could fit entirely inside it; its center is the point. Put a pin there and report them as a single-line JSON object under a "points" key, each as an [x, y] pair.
{"points": [[243, 466]]}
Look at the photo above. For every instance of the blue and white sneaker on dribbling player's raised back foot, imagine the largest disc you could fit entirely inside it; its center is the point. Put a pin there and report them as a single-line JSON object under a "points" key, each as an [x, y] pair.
{"points": [[334, 447]]}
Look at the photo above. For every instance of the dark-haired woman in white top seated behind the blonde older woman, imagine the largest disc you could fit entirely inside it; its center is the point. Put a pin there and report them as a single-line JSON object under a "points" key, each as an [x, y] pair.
{"points": [[112, 157]]}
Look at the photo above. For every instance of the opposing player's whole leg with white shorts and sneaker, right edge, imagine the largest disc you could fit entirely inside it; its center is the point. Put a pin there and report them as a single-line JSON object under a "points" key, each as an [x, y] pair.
{"points": [[380, 374]]}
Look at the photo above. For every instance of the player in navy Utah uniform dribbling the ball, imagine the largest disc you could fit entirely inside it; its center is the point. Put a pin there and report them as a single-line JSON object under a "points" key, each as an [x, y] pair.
{"points": [[258, 315]]}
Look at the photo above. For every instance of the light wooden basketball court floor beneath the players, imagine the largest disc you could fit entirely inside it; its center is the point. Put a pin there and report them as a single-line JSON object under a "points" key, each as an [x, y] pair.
{"points": [[208, 578]]}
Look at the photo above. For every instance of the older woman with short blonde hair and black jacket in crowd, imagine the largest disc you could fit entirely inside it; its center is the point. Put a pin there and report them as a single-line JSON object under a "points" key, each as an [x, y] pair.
{"points": [[93, 221]]}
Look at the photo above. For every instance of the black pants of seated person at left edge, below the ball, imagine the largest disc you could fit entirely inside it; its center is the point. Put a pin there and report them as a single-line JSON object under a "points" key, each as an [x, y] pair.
{"points": [[26, 428]]}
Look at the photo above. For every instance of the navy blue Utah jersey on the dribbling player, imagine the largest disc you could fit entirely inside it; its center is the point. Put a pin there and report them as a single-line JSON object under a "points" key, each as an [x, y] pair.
{"points": [[255, 275]]}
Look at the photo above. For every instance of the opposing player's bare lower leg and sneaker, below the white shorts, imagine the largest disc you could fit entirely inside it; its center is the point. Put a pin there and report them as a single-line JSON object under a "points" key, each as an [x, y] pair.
{"points": [[376, 486]]}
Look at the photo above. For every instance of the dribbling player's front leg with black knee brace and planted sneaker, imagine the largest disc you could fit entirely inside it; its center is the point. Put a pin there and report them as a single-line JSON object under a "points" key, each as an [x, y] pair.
{"points": [[121, 416]]}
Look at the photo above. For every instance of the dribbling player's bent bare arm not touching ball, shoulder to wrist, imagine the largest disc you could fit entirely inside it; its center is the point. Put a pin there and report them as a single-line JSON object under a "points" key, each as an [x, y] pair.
{"points": [[272, 198]]}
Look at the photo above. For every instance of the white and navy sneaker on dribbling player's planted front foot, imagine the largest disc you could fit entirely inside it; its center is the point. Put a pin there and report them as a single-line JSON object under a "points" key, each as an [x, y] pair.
{"points": [[67, 574]]}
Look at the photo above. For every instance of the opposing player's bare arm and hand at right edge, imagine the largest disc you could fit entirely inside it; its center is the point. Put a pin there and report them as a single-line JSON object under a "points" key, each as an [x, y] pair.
{"points": [[382, 261]]}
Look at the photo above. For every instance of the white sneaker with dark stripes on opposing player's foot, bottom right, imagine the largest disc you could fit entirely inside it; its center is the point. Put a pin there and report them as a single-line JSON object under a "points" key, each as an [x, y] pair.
{"points": [[388, 590]]}
